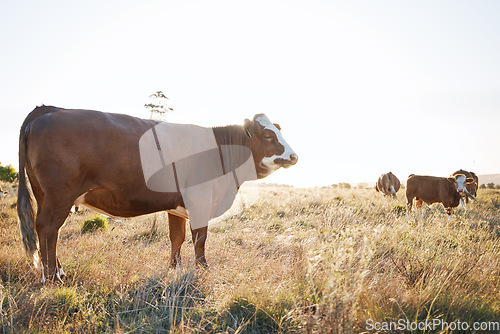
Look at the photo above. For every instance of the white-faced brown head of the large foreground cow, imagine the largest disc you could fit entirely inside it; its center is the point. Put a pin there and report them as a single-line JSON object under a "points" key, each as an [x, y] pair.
{"points": [[270, 151]]}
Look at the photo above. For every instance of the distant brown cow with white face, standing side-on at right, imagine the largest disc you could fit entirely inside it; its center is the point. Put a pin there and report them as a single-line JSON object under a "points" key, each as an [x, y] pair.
{"points": [[432, 189]]}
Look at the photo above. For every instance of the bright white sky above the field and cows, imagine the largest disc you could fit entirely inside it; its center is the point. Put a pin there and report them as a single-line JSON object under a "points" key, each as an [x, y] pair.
{"points": [[360, 88]]}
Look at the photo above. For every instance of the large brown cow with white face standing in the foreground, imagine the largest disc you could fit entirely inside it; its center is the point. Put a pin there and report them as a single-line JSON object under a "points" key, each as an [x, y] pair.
{"points": [[93, 158]]}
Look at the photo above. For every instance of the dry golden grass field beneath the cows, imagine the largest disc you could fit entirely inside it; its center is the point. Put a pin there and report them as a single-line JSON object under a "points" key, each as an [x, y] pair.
{"points": [[285, 260]]}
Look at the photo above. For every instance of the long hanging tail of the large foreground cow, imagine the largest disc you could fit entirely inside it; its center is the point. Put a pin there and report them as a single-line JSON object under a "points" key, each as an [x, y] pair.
{"points": [[25, 208]]}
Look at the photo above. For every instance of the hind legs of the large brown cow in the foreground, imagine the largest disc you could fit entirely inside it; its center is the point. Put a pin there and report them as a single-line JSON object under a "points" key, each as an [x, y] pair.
{"points": [[48, 222]]}
